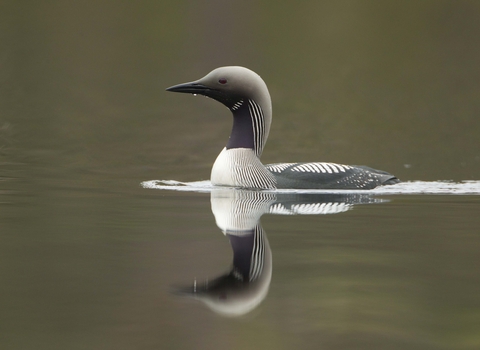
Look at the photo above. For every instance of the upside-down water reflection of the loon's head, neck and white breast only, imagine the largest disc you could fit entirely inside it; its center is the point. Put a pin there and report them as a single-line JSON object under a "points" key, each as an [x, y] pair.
{"points": [[238, 292]]}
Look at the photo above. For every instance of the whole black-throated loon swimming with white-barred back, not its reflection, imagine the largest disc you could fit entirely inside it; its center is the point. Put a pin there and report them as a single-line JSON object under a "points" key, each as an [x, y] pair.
{"points": [[247, 97]]}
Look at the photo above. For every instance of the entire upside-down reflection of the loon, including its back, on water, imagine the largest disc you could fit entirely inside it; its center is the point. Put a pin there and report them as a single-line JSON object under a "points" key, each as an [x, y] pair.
{"points": [[237, 213]]}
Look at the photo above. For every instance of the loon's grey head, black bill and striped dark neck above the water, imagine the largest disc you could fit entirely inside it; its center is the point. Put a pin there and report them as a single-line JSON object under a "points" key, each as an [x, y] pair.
{"points": [[246, 95]]}
